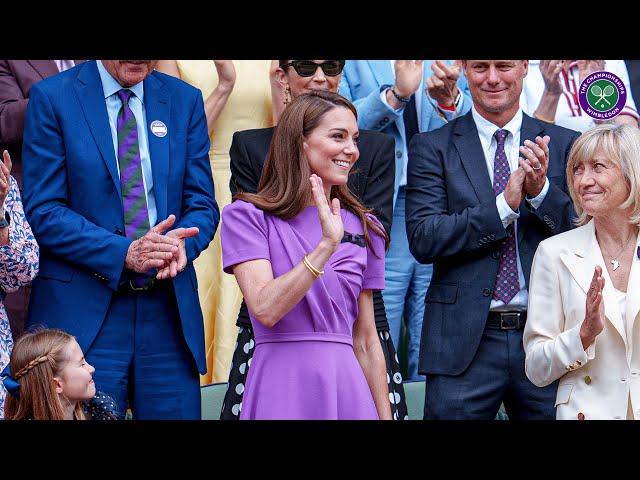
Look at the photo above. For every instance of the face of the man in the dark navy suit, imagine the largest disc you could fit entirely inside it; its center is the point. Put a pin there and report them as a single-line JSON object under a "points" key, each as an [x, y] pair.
{"points": [[495, 86]]}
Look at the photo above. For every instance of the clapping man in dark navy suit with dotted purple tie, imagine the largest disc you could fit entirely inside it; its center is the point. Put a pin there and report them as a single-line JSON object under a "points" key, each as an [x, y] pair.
{"points": [[482, 192]]}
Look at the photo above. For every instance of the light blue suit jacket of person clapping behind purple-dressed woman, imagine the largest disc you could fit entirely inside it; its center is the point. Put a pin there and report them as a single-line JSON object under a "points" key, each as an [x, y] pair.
{"points": [[363, 80]]}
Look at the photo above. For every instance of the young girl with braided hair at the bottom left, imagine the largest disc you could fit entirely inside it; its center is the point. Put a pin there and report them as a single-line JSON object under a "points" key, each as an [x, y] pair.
{"points": [[49, 379]]}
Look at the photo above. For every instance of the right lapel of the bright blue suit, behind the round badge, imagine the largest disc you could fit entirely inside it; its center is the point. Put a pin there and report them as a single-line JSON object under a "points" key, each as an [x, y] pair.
{"points": [[157, 104]]}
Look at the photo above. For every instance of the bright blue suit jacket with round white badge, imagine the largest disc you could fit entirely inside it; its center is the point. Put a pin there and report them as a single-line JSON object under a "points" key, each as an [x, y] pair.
{"points": [[73, 202]]}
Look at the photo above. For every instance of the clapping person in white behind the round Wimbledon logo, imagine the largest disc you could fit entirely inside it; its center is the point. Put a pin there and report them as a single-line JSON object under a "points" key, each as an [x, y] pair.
{"points": [[551, 88]]}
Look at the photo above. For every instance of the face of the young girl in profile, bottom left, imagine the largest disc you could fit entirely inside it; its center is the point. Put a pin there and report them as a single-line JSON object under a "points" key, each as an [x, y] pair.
{"points": [[74, 382]]}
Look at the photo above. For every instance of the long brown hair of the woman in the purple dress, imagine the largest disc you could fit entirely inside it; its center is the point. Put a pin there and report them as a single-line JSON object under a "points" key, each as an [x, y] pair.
{"points": [[284, 188]]}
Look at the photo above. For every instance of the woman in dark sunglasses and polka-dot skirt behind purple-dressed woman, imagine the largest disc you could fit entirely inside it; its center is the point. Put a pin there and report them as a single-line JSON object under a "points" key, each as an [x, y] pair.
{"points": [[371, 181]]}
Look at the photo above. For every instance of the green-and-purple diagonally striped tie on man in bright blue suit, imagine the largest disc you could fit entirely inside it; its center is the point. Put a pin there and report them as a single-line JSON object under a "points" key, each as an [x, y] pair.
{"points": [[134, 200]]}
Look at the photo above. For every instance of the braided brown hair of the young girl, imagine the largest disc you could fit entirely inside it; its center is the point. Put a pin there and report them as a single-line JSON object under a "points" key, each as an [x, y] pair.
{"points": [[36, 358]]}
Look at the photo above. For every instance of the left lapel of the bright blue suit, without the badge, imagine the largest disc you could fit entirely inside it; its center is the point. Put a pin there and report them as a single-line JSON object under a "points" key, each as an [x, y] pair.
{"points": [[88, 87]]}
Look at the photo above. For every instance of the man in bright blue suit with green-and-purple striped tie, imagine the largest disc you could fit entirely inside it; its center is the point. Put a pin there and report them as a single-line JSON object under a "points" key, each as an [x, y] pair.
{"points": [[119, 194]]}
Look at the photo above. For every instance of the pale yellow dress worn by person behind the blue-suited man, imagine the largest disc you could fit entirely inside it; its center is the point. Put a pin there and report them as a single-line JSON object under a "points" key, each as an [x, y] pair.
{"points": [[248, 106]]}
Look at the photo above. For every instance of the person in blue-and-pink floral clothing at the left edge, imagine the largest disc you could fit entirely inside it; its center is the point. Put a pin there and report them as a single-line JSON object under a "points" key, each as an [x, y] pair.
{"points": [[18, 255]]}
